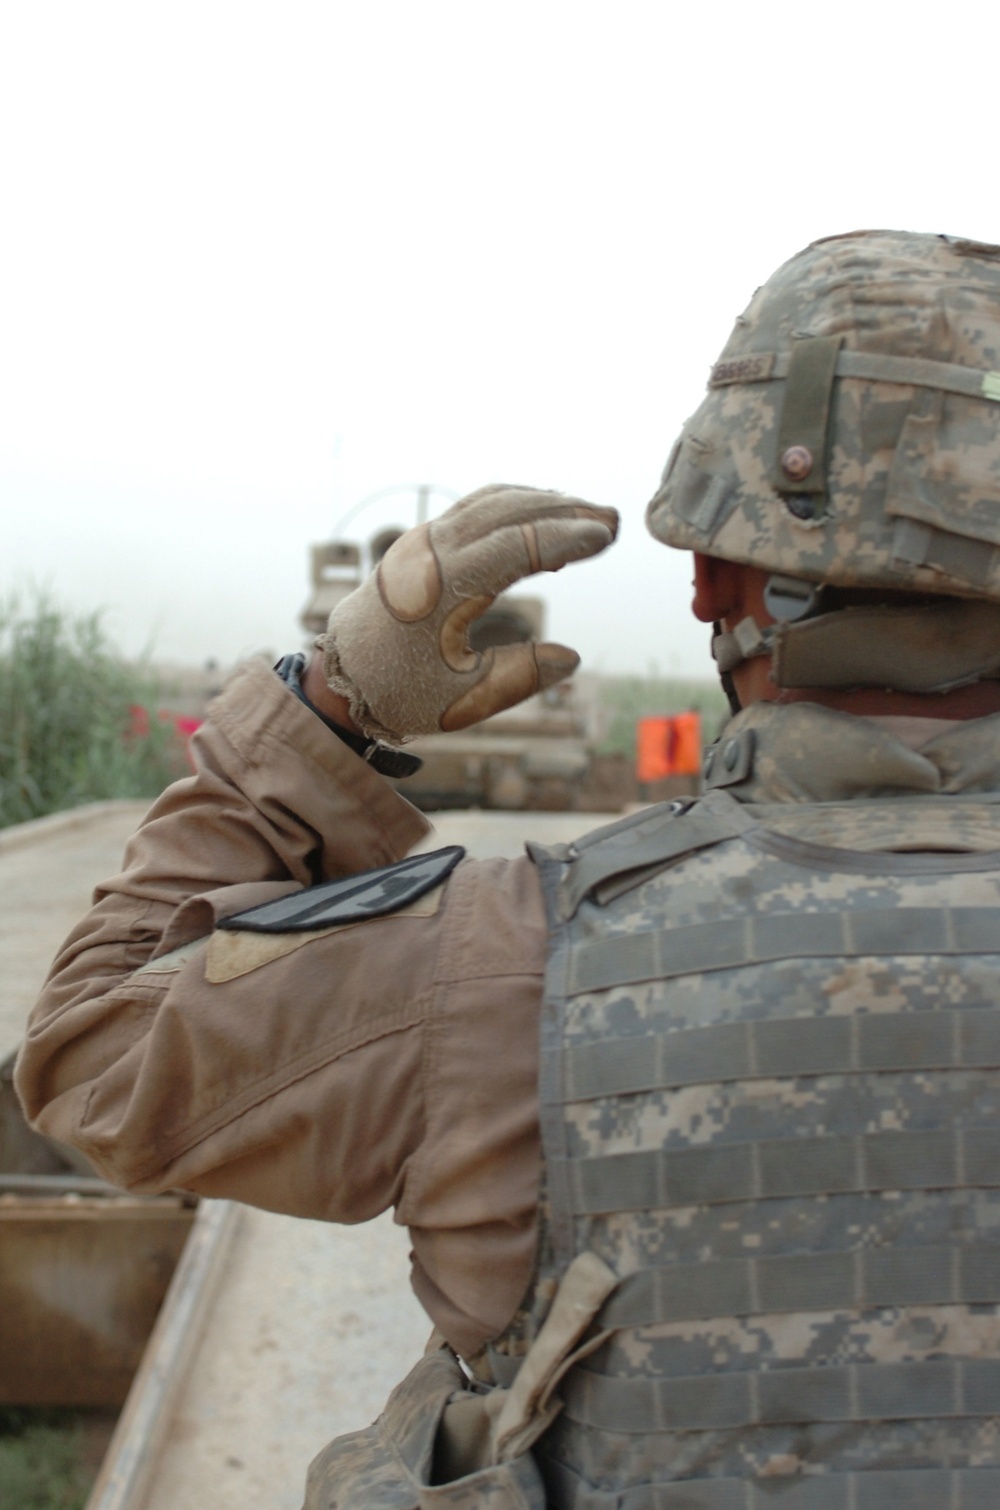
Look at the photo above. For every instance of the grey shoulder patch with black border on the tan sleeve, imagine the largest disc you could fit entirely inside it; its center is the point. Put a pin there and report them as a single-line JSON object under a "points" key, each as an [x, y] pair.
{"points": [[371, 895]]}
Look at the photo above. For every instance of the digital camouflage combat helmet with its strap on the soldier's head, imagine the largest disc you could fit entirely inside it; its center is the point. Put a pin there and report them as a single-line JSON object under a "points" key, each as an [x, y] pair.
{"points": [[851, 439]]}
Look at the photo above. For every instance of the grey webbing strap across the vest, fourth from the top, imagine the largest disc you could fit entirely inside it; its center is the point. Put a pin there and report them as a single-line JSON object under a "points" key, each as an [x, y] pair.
{"points": [[863, 1280]]}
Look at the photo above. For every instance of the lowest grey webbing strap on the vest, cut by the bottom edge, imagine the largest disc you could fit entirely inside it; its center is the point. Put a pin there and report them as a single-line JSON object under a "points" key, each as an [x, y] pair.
{"points": [[886, 1490]]}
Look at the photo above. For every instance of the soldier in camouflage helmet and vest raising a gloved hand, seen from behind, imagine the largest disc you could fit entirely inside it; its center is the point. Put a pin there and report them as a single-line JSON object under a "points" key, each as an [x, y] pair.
{"points": [[762, 1265]]}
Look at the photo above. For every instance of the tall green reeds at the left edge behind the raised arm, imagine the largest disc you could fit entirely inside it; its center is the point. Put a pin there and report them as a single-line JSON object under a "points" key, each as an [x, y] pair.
{"points": [[69, 729]]}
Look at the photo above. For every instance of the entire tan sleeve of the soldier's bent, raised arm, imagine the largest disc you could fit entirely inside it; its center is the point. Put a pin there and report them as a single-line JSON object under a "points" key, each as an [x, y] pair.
{"points": [[330, 1074]]}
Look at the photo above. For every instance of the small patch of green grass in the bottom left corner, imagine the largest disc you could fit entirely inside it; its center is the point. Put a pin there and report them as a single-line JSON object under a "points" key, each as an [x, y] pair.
{"points": [[43, 1461]]}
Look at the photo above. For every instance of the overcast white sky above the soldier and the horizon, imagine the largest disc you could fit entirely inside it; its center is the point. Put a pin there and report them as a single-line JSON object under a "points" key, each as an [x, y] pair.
{"points": [[262, 260]]}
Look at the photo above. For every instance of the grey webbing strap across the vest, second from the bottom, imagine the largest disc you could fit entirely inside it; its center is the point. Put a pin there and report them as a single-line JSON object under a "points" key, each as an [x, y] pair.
{"points": [[942, 1388]]}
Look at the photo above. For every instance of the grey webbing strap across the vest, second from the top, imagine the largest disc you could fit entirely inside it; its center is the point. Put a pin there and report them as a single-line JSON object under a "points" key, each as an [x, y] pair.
{"points": [[783, 1047]]}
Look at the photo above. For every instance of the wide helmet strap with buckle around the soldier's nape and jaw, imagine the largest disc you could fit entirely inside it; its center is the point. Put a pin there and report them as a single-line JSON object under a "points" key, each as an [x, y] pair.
{"points": [[918, 649]]}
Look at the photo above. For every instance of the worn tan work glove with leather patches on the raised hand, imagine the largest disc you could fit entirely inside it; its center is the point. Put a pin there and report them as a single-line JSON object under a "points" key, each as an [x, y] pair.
{"points": [[398, 649]]}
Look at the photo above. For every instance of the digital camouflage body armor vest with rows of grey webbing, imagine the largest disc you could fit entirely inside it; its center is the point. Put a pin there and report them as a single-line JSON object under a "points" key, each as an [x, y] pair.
{"points": [[771, 1105]]}
